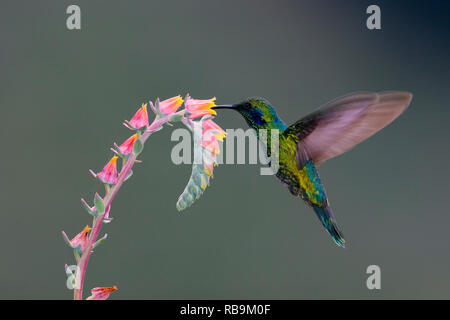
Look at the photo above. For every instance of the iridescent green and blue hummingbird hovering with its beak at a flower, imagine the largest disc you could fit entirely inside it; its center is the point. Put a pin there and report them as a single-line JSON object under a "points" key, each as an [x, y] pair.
{"points": [[331, 130]]}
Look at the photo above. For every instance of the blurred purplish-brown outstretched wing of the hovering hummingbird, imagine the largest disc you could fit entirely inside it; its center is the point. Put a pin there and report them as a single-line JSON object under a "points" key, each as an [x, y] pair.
{"points": [[344, 122]]}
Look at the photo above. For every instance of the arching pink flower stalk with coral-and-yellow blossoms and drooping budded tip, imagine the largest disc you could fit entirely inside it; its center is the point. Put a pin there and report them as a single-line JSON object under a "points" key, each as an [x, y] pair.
{"points": [[166, 112]]}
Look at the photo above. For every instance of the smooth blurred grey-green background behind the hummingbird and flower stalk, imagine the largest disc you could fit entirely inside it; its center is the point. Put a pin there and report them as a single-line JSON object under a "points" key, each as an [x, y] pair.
{"points": [[64, 94]]}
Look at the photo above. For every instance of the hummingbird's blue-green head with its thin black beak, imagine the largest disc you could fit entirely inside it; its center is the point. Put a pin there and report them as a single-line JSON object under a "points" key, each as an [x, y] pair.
{"points": [[257, 112]]}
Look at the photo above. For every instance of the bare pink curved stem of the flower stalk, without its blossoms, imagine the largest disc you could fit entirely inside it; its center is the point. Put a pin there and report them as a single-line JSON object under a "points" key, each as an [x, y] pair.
{"points": [[109, 197]]}
